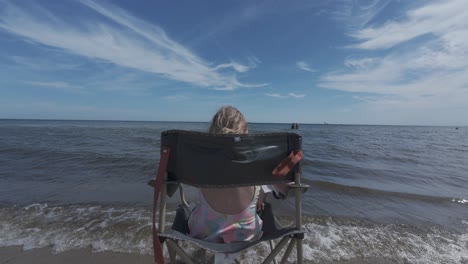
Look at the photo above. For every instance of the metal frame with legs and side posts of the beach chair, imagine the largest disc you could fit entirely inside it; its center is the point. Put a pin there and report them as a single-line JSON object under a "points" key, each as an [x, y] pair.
{"points": [[292, 240]]}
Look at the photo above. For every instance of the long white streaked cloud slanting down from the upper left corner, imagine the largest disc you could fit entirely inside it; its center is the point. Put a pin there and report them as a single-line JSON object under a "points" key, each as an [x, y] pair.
{"points": [[127, 42]]}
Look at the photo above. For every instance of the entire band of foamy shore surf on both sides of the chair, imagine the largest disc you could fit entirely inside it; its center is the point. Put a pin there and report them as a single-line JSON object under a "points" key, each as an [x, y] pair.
{"points": [[128, 229]]}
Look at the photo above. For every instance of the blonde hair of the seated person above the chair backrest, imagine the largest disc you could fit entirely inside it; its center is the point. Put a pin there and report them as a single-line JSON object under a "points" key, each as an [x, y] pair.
{"points": [[228, 120]]}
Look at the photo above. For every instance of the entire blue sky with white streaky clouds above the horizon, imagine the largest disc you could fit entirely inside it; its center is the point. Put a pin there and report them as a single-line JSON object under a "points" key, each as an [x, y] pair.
{"points": [[352, 62]]}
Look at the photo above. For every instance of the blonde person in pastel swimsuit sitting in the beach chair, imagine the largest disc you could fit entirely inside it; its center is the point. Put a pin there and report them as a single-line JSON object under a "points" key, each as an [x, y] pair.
{"points": [[230, 214]]}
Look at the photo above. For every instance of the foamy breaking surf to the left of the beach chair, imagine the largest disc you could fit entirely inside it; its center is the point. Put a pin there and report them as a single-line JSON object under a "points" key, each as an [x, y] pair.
{"points": [[120, 229]]}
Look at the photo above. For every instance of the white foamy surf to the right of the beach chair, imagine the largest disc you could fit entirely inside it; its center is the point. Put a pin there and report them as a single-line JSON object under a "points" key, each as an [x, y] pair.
{"points": [[400, 243]]}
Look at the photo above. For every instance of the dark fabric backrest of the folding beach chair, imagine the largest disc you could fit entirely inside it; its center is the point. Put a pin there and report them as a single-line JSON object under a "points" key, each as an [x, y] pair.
{"points": [[227, 160]]}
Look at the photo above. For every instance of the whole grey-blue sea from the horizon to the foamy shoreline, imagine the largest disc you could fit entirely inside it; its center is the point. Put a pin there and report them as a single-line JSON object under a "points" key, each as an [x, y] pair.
{"points": [[397, 193]]}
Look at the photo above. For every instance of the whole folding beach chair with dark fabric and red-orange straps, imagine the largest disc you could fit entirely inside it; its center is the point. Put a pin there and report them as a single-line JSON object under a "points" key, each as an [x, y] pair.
{"points": [[206, 160]]}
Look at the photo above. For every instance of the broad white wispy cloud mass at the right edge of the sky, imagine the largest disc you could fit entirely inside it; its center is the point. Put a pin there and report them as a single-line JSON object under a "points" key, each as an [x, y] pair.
{"points": [[430, 72]]}
